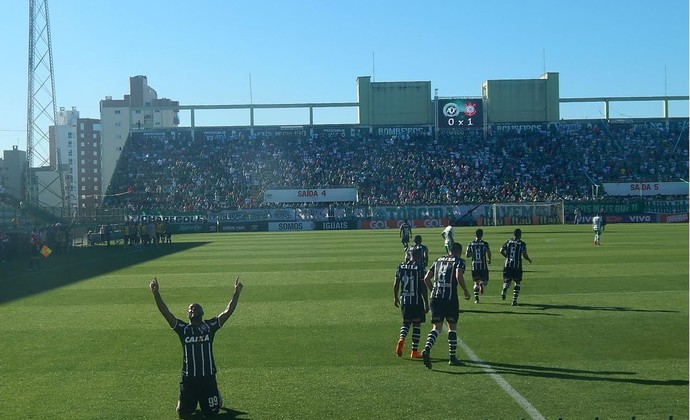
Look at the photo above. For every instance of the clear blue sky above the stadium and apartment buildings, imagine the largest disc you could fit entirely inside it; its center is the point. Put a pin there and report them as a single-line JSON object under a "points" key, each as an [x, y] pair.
{"points": [[203, 52]]}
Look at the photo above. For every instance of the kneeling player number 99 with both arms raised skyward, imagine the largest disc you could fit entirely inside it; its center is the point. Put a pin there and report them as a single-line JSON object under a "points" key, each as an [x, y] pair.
{"points": [[198, 383]]}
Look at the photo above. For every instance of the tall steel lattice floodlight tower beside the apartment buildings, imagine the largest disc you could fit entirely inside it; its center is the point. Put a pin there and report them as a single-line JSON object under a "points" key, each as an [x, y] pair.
{"points": [[41, 106]]}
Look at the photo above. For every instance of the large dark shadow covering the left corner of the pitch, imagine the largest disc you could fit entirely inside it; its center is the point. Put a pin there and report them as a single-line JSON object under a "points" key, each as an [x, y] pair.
{"points": [[80, 264]]}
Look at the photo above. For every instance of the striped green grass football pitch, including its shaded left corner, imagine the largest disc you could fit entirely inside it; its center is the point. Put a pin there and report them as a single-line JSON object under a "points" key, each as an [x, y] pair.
{"points": [[600, 331]]}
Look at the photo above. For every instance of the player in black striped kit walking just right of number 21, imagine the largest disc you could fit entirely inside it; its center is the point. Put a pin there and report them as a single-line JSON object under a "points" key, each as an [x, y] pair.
{"points": [[447, 272]]}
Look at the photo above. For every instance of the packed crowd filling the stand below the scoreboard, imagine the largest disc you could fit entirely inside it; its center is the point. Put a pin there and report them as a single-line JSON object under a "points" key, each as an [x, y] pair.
{"points": [[181, 172]]}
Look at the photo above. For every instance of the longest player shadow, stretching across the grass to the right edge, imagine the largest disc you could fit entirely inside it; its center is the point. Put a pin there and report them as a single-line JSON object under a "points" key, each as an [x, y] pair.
{"points": [[569, 374]]}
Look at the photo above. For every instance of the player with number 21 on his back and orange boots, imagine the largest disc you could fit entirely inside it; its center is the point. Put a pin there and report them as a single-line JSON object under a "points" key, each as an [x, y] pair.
{"points": [[412, 300]]}
